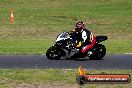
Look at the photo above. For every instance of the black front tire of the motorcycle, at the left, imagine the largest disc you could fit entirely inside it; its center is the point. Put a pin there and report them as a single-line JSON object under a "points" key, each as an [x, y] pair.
{"points": [[54, 53]]}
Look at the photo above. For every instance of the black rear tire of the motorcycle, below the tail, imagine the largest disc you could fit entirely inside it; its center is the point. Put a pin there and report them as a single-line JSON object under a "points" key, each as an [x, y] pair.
{"points": [[99, 52]]}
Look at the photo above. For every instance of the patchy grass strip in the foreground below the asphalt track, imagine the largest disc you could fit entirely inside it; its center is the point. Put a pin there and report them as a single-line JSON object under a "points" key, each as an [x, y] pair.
{"points": [[37, 77]]}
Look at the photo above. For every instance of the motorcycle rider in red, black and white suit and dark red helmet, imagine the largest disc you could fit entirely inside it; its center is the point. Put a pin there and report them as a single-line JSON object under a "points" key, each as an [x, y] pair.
{"points": [[86, 39]]}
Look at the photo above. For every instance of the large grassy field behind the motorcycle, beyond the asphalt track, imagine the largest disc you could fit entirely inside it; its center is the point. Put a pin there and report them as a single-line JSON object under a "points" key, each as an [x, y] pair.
{"points": [[43, 20]]}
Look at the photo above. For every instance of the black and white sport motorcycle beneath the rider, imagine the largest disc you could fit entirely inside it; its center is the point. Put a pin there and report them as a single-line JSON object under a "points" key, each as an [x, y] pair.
{"points": [[64, 48]]}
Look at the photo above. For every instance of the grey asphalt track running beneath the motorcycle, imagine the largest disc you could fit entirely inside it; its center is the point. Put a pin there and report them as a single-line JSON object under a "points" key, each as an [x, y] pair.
{"points": [[40, 61]]}
